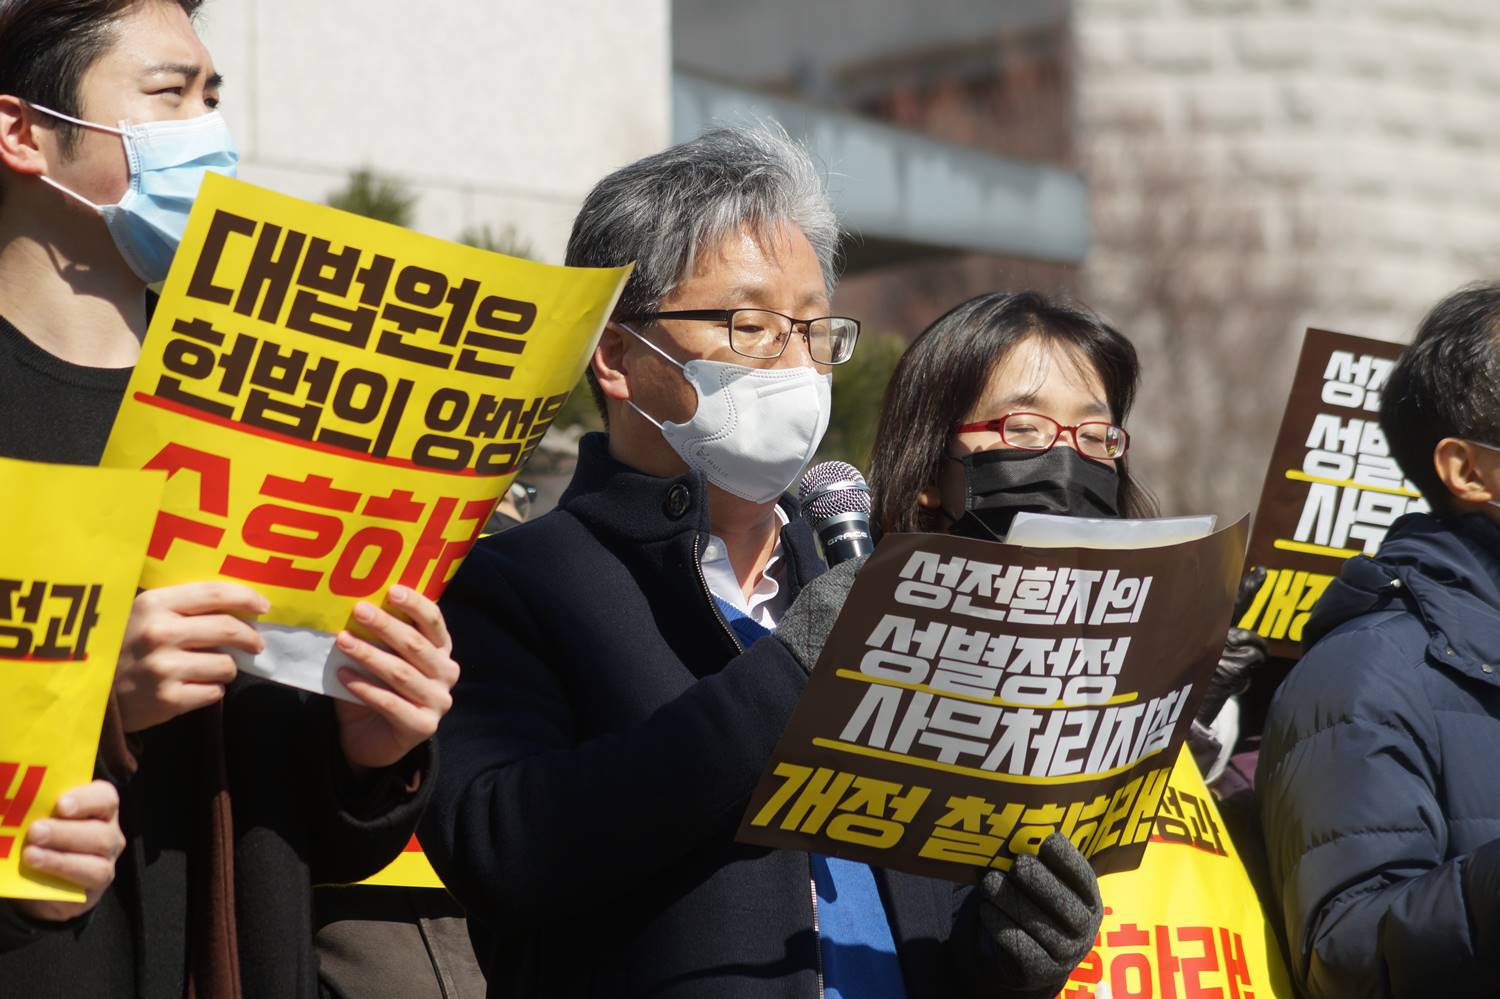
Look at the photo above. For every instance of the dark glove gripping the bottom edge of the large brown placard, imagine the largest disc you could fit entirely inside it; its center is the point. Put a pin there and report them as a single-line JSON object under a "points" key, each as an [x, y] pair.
{"points": [[1042, 916]]}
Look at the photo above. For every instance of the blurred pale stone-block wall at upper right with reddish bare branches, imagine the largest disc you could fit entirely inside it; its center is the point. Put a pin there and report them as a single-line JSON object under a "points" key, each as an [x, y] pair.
{"points": [[1264, 166]]}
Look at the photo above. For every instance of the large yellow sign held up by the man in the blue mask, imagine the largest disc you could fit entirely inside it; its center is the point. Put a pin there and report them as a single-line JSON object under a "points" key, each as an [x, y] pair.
{"points": [[338, 404]]}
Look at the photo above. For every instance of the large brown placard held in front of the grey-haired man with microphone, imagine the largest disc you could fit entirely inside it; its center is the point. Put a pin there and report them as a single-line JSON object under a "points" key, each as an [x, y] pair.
{"points": [[977, 697]]}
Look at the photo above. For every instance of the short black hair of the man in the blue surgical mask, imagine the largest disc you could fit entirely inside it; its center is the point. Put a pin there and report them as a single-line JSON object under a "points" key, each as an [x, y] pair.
{"points": [[49, 46]]}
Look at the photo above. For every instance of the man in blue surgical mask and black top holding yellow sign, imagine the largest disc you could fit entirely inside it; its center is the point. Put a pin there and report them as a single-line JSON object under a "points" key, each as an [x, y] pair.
{"points": [[238, 796]]}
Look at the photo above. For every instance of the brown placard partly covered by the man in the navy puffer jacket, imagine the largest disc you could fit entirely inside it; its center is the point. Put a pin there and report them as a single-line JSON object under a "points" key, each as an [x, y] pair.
{"points": [[1333, 488]]}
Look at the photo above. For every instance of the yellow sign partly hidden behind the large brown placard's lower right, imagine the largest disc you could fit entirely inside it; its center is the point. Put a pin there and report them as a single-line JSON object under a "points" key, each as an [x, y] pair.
{"points": [[1187, 922]]}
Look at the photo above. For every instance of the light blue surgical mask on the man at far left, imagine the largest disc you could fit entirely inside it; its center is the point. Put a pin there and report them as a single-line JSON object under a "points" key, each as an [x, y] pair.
{"points": [[169, 161]]}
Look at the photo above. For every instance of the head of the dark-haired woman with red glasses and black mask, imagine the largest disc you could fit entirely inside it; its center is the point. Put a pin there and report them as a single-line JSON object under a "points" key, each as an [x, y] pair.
{"points": [[1009, 403]]}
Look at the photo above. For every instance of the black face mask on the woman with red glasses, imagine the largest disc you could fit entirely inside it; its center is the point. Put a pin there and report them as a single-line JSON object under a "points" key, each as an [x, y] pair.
{"points": [[1001, 484]]}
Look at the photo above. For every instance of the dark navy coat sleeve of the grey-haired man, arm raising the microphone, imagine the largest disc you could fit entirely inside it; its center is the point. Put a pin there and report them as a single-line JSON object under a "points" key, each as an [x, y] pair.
{"points": [[529, 818]]}
